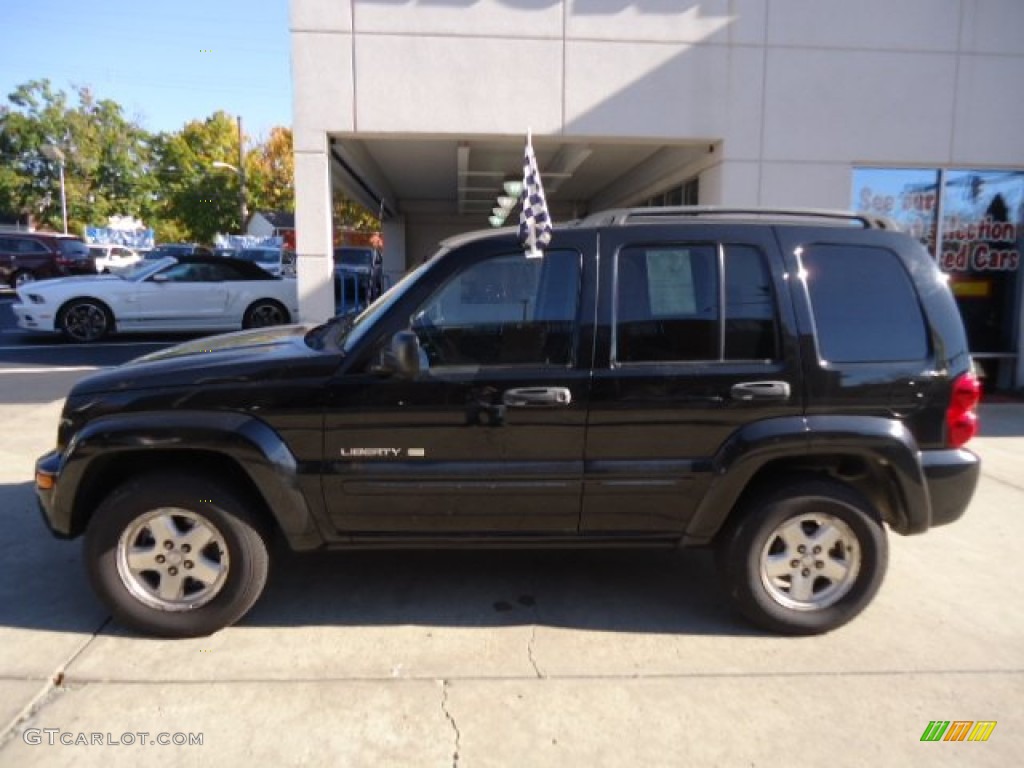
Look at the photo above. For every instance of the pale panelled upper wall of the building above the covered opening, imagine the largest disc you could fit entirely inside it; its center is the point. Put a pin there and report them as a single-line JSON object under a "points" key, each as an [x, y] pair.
{"points": [[795, 93]]}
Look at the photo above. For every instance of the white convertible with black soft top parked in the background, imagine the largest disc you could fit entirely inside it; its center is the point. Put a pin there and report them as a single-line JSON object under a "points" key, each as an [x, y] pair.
{"points": [[176, 293]]}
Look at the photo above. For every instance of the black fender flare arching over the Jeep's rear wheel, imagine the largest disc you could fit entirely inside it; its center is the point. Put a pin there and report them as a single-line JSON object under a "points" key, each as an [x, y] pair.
{"points": [[878, 441]]}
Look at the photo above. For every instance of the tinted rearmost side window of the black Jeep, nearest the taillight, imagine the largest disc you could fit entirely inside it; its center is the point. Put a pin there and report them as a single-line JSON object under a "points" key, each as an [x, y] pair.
{"points": [[865, 306]]}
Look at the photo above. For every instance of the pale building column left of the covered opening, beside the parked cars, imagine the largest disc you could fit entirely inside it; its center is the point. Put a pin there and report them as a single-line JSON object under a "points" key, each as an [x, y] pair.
{"points": [[315, 234]]}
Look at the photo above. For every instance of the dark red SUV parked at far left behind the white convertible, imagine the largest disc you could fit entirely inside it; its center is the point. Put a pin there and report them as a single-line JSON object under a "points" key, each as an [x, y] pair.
{"points": [[29, 257]]}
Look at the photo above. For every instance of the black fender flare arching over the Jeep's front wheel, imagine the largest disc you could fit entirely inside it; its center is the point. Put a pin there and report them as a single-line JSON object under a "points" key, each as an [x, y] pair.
{"points": [[249, 444]]}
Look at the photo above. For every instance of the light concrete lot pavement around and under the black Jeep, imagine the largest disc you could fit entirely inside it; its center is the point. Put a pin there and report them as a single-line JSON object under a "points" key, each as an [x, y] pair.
{"points": [[503, 659]]}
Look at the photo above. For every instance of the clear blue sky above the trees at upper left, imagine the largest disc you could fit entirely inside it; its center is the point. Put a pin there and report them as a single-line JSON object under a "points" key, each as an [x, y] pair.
{"points": [[165, 63]]}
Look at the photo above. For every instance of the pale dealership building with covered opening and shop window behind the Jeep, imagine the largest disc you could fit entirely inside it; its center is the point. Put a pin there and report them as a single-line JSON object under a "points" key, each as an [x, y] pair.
{"points": [[913, 109]]}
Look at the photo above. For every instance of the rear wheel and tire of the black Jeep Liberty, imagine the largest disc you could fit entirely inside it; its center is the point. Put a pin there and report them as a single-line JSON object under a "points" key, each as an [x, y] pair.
{"points": [[804, 592]]}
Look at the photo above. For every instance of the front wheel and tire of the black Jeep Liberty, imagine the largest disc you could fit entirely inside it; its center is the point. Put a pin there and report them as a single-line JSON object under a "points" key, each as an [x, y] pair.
{"points": [[130, 524]]}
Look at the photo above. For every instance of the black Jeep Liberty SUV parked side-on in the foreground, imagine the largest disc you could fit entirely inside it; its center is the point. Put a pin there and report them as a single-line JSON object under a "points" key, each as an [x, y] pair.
{"points": [[780, 387]]}
